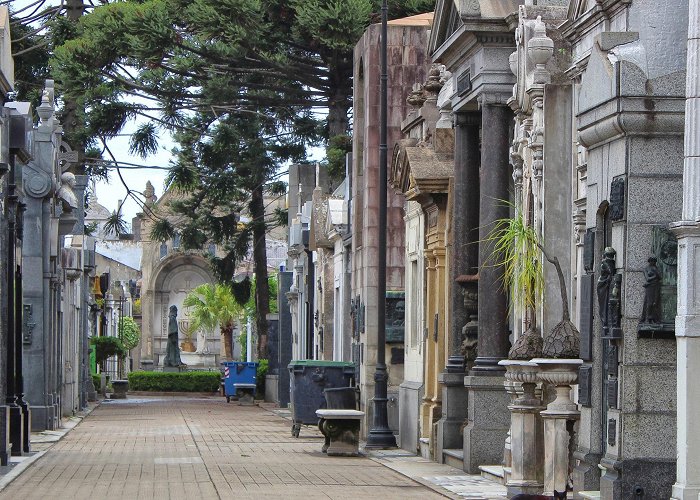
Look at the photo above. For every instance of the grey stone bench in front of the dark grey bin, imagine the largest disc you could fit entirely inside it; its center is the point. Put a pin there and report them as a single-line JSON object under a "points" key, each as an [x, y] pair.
{"points": [[341, 428]]}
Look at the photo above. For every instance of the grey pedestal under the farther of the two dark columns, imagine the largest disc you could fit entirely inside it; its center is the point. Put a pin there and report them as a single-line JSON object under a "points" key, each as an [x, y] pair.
{"points": [[454, 412]]}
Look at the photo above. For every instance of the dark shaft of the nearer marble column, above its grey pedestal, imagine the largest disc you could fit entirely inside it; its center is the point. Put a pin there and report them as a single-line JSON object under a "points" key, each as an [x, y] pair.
{"points": [[493, 343]]}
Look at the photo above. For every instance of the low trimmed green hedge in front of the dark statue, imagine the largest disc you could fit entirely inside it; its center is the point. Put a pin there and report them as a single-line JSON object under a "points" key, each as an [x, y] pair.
{"points": [[175, 382]]}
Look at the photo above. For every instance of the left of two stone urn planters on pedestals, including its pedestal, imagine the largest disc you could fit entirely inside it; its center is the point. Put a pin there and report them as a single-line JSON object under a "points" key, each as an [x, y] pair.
{"points": [[527, 435]]}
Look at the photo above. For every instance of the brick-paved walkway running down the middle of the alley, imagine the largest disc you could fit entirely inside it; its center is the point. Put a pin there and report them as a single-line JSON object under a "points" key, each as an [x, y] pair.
{"points": [[199, 448]]}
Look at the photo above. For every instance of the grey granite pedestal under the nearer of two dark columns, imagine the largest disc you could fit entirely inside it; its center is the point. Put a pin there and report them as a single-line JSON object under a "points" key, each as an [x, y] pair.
{"points": [[488, 422]]}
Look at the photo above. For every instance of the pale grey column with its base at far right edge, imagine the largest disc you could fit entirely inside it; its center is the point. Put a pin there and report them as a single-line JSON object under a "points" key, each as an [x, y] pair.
{"points": [[688, 316]]}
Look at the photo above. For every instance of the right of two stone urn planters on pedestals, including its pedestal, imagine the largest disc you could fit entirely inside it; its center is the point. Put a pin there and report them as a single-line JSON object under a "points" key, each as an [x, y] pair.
{"points": [[562, 373]]}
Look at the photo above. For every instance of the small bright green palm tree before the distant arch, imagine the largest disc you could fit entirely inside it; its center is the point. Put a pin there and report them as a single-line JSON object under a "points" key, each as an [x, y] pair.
{"points": [[215, 305]]}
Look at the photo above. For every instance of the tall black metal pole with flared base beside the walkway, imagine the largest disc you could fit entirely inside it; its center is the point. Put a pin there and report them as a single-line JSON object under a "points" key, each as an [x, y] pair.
{"points": [[380, 436]]}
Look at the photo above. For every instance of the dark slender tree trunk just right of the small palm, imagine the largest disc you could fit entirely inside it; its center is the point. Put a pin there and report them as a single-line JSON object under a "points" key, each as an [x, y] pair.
{"points": [[262, 289]]}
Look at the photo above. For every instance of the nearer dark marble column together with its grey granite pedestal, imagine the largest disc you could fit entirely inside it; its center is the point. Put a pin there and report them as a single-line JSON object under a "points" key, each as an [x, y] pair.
{"points": [[487, 414]]}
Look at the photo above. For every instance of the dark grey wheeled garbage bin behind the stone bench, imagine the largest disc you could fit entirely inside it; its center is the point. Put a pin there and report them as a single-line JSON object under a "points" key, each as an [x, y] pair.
{"points": [[308, 379]]}
